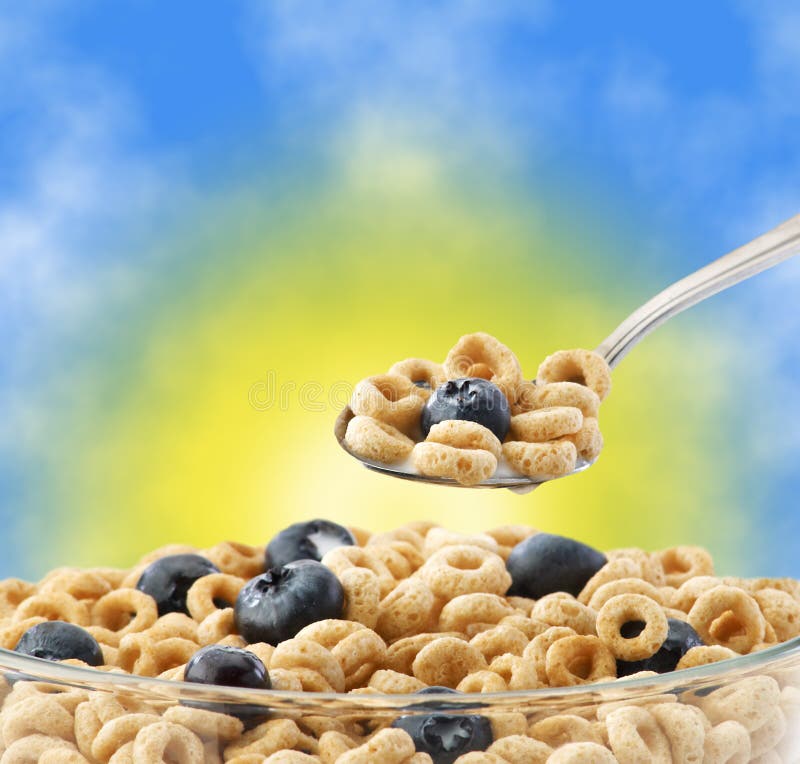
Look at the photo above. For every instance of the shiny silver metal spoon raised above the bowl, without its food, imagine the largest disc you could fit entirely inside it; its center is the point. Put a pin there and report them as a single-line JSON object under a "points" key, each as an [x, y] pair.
{"points": [[767, 250]]}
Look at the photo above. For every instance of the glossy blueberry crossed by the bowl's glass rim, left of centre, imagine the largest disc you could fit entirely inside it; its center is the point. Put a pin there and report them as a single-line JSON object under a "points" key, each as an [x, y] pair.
{"points": [[228, 667]]}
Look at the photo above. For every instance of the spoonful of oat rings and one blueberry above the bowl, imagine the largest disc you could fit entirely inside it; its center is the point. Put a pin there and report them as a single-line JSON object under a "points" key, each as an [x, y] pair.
{"points": [[459, 420]]}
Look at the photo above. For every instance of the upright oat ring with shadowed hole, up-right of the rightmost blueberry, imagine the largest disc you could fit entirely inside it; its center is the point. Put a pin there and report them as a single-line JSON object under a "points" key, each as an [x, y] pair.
{"points": [[740, 631]]}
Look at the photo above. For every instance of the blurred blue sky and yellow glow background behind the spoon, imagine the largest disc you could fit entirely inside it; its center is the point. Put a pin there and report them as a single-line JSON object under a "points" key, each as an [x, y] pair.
{"points": [[216, 218]]}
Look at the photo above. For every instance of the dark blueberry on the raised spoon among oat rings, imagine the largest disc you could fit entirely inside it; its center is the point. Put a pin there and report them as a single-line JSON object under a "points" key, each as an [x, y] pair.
{"points": [[471, 398]]}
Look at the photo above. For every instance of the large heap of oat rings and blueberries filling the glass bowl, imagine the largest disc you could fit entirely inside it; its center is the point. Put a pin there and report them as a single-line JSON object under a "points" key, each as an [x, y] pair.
{"points": [[330, 609]]}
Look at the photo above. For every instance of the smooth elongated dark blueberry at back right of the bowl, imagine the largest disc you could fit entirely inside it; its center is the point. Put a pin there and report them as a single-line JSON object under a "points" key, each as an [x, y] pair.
{"points": [[545, 563]]}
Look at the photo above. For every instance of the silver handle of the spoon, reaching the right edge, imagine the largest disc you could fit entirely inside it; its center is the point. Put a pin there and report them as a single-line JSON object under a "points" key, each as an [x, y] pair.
{"points": [[761, 253]]}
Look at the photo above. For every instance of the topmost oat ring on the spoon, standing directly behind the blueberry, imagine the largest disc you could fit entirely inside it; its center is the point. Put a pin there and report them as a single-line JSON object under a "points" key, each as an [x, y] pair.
{"points": [[480, 354]]}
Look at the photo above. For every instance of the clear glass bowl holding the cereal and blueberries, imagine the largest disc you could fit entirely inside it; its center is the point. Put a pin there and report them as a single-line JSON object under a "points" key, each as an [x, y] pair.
{"points": [[739, 710]]}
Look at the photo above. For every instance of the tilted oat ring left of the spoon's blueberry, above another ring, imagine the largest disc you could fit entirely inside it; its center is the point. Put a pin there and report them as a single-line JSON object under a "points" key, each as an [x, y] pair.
{"points": [[392, 399]]}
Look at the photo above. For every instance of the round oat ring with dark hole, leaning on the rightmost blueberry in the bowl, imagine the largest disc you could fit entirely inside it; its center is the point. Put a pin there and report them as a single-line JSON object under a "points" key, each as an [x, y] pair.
{"points": [[624, 608]]}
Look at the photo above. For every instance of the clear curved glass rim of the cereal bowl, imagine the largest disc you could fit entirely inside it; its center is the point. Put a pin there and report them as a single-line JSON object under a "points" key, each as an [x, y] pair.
{"points": [[41, 670]]}
